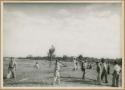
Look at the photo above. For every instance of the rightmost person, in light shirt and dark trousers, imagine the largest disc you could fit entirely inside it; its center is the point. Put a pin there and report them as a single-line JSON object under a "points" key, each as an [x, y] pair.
{"points": [[116, 74]]}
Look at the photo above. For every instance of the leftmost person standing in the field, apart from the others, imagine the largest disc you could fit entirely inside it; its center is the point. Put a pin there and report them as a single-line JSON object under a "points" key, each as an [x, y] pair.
{"points": [[12, 68]]}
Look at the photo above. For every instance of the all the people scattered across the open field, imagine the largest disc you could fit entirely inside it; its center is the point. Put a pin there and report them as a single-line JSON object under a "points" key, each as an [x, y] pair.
{"points": [[102, 69]]}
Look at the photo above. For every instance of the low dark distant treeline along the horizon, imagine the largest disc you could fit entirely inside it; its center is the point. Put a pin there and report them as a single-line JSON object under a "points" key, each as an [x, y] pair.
{"points": [[70, 58]]}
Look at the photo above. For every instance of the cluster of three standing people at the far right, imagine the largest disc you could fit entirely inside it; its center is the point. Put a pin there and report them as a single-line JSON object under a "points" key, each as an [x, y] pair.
{"points": [[103, 70]]}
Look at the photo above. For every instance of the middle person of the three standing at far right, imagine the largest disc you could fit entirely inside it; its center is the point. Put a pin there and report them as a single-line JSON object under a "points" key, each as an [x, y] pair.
{"points": [[104, 71]]}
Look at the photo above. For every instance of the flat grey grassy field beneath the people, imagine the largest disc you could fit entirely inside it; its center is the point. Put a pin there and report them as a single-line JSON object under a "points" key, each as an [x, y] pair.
{"points": [[28, 76]]}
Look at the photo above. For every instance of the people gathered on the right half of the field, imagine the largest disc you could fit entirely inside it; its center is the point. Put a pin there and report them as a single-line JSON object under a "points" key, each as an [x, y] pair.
{"points": [[102, 69]]}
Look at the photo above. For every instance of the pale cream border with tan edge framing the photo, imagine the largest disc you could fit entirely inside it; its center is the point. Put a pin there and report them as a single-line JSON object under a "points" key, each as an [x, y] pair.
{"points": [[93, 1]]}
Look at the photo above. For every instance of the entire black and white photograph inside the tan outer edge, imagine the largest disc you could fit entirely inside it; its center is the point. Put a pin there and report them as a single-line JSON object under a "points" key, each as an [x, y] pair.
{"points": [[62, 44]]}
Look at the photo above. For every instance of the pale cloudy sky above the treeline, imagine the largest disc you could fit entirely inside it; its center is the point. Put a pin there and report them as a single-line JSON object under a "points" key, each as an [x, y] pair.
{"points": [[89, 29]]}
